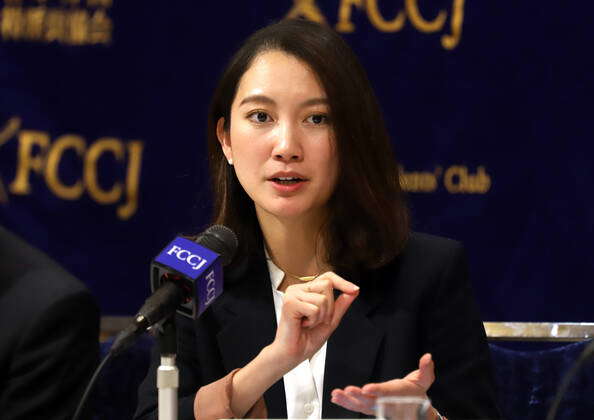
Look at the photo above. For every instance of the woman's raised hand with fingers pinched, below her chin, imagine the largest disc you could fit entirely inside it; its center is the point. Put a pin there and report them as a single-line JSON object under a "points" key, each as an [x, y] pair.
{"points": [[310, 314]]}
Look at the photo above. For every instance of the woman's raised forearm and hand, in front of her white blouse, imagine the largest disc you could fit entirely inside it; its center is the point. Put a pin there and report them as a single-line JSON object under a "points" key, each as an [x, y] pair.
{"points": [[310, 314]]}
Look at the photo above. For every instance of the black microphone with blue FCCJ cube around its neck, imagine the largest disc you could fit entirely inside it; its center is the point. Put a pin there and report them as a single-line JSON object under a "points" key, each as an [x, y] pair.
{"points": [[186, 276]]}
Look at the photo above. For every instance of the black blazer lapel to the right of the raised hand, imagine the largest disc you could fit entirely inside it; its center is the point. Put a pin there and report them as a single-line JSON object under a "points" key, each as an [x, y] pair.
{"points": [[352, 348]]}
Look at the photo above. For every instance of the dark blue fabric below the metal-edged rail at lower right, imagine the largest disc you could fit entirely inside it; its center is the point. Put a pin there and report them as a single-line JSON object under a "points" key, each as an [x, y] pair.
{"points": [[528, 382]]}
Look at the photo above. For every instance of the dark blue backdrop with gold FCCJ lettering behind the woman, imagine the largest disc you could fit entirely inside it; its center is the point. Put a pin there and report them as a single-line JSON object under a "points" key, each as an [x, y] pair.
{"points": [[102, 122]]}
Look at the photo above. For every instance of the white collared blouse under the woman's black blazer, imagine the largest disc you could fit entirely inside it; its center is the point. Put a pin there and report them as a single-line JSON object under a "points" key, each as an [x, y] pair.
{"points": [[305, 383]]}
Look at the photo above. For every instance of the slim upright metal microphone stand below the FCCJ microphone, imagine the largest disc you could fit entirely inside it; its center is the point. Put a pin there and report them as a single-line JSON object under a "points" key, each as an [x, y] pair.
{"points": [[167, 373]]}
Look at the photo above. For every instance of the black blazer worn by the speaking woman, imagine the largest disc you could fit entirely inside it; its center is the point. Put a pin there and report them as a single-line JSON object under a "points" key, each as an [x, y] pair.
{"points": [[421, 302]]}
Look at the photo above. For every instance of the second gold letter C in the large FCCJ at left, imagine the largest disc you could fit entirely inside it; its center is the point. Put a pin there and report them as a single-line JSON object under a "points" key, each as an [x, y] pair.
{"points": [[101, 146]]}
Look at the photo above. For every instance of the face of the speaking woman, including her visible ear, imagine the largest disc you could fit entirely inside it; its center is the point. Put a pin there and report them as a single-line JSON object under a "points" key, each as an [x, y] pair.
{"points": [[280, 140]]}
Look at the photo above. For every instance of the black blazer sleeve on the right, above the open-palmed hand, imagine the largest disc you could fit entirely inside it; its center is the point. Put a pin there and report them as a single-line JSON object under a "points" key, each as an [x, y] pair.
{"points": [[454, 334]]}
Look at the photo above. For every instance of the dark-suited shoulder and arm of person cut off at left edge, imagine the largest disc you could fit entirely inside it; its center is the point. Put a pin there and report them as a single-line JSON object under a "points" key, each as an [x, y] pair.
{"points": [[49, 326]]}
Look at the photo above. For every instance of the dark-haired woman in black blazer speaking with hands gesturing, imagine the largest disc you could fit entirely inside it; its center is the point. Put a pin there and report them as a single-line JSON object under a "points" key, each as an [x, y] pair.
{"points": [[331, 301]]}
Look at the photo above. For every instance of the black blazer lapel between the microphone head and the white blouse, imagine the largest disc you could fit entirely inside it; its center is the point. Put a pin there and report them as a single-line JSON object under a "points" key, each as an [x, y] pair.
{"points": [[251, 326]]}
